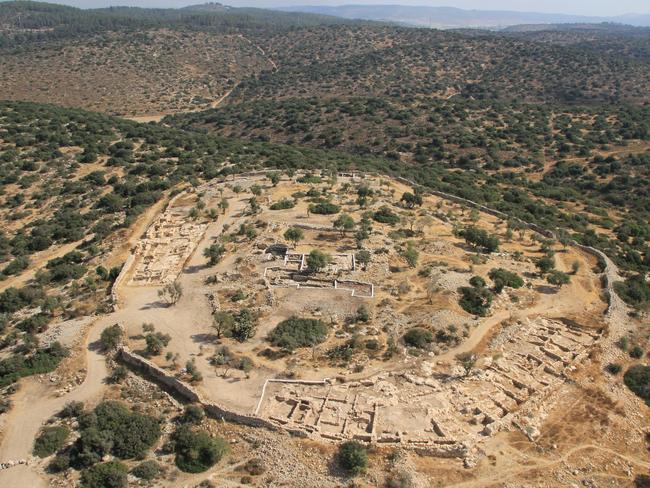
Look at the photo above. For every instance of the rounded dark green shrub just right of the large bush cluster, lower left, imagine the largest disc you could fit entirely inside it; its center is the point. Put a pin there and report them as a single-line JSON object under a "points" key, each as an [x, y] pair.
{"points": [[197, 452]]}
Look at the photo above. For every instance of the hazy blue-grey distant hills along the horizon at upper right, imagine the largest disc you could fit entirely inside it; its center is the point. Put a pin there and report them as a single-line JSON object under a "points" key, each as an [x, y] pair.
{"points": [[454, 18]]}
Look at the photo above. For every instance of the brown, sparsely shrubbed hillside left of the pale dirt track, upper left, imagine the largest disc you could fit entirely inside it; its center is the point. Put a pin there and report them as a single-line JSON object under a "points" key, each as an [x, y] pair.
{"points": [[134, 73]]}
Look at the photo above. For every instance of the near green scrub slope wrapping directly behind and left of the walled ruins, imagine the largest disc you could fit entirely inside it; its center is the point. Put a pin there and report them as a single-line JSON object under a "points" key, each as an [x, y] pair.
{"points": [[73, 177]]}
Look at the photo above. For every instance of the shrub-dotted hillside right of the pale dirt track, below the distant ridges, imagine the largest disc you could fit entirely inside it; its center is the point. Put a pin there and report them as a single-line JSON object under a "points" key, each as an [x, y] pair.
{"points": [[389, 61]]}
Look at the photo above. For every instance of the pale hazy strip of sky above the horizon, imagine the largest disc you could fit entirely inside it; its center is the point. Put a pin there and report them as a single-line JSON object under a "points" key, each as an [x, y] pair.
{"points": [[584, 7]]}
